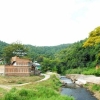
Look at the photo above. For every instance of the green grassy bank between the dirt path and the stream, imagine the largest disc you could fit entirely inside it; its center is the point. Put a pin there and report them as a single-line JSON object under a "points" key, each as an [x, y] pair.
{"points": [[47, 90]]}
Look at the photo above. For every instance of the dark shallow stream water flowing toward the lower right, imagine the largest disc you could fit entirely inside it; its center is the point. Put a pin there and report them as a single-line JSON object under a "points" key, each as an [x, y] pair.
{"points": [[79, 93]]}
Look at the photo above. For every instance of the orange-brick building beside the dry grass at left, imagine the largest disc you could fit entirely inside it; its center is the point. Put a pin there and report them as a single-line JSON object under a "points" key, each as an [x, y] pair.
{"points": [[20, 67]]}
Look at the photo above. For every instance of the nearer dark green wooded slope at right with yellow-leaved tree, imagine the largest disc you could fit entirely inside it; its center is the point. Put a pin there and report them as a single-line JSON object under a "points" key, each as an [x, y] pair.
{"points": [[82, 54]]}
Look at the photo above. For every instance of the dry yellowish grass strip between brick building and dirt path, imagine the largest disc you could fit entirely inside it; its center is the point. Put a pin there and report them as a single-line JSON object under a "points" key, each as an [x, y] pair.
{"points": [[8, 80]]}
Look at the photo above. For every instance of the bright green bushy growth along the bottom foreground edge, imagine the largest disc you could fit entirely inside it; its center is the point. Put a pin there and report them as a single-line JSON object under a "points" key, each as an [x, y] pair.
{"points": [[42, 93]]}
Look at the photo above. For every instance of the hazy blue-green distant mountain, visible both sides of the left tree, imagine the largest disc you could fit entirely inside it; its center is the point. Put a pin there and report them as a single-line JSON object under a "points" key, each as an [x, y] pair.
{"points": [[36, 51]]}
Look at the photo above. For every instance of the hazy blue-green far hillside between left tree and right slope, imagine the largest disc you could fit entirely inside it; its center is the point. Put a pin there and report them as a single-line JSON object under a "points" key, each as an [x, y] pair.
{"points": [[38, 52]]}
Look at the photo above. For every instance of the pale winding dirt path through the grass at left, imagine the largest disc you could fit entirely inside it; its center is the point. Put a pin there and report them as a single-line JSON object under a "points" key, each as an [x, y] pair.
{"points": [[8, 87]]}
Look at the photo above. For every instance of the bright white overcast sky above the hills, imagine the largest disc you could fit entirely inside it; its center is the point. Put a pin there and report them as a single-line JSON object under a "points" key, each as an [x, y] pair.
{"points": [[48, 22]]}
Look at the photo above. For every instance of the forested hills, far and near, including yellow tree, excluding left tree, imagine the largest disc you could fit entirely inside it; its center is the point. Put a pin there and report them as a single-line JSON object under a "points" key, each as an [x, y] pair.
{"points": [[81, 54]]}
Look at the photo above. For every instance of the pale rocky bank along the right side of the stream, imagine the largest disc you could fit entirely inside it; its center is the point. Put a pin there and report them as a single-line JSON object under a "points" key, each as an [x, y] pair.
{"points": [[88, 81]]}
